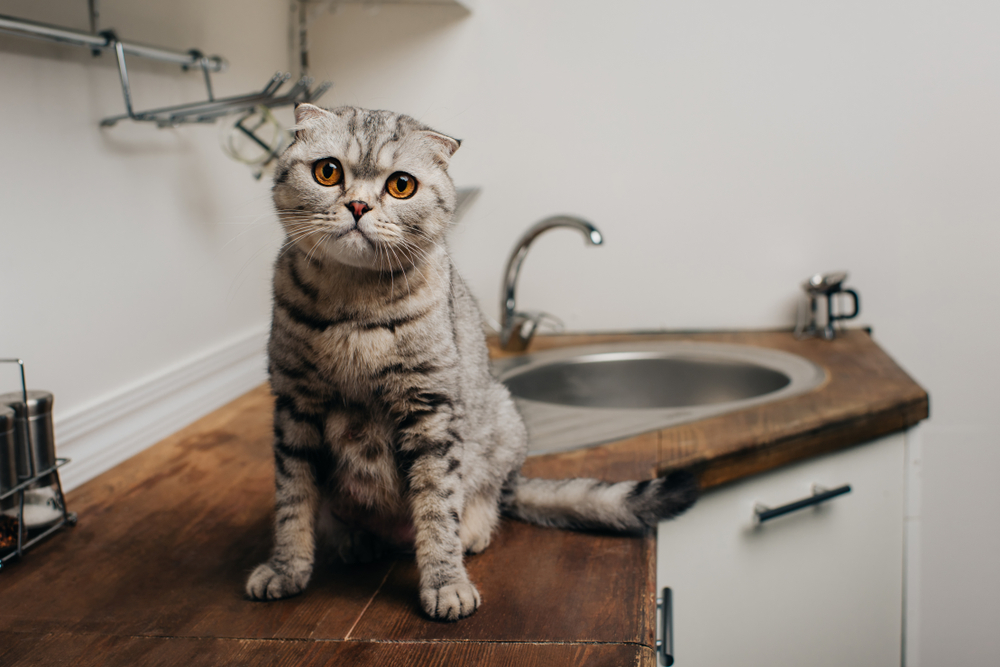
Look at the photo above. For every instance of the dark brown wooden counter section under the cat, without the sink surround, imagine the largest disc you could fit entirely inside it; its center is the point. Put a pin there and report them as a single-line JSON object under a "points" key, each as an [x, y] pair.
{"points": [[166, 540]]}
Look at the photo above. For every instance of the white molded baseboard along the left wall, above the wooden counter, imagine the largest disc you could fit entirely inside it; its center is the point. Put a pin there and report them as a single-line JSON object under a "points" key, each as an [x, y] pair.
{"points": [[115, 427]]}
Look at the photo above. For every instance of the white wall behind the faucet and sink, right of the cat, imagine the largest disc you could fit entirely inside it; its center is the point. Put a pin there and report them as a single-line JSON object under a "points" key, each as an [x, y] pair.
{"points": [[728, 150]]}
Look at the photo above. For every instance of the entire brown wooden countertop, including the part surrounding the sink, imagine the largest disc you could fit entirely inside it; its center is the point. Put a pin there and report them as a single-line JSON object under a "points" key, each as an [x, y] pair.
{"points": [[154, 572]]}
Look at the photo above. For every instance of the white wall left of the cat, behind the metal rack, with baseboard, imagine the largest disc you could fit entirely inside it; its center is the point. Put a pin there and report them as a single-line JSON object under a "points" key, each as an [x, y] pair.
{"points": [[131, 257]]}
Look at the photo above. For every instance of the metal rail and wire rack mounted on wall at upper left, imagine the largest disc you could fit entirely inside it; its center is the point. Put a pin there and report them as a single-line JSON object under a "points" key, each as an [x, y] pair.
{"points": [[206, 111]]}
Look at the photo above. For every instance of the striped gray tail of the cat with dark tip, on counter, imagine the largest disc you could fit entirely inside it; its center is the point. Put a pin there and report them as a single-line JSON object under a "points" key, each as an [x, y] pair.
{"points": [[593, 504]]}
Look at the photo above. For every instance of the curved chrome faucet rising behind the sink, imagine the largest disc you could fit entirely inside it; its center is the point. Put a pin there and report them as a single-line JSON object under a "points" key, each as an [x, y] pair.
{"points": [[517, 327]]}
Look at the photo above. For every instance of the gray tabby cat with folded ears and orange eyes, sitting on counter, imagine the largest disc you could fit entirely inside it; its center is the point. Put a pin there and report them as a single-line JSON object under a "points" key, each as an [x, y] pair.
{"points": [[388, 428]]}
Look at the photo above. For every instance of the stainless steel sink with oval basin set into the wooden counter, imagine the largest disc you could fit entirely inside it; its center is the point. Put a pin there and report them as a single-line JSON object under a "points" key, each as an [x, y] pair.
{"points": [[579, 396]]}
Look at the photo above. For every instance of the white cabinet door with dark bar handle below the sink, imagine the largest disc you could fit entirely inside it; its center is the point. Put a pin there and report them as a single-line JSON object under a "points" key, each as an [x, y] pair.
{"points": [[820, 586]]}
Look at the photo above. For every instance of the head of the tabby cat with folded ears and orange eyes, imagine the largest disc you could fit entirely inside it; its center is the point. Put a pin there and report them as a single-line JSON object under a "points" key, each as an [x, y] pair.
{"points": [[365, 188]]}
